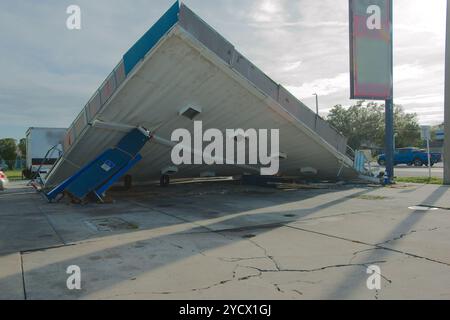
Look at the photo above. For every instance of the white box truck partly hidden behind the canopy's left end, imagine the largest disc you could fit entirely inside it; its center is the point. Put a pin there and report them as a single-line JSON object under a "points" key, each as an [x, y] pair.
{"points": [[44, 147]]}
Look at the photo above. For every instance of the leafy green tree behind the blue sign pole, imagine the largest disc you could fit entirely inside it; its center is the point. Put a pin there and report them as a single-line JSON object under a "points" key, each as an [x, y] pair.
{"points": [[363, 125]]}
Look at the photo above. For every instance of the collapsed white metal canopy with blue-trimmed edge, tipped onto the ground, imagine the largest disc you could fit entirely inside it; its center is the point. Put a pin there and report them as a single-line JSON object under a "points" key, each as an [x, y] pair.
{"points": [[181, 61]]}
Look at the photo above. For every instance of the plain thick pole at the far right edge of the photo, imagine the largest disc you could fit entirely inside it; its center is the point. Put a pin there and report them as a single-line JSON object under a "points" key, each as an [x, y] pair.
{"points": [[447, 102]]}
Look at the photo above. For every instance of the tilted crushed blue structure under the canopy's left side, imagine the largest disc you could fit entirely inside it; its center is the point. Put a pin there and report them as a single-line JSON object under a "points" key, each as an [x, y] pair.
{"points": [[98, 176]]}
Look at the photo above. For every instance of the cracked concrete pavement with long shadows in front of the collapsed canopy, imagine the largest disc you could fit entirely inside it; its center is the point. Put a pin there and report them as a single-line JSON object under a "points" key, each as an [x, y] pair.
{"points": [[227, 241]]}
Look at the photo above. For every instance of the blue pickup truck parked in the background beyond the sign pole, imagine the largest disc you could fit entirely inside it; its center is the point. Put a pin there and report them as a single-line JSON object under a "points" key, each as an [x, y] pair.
{"points": [[411, 156]]}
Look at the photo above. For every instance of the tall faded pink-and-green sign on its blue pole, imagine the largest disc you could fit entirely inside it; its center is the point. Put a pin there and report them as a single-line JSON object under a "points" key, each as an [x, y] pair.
{"points": [[371, 62]]}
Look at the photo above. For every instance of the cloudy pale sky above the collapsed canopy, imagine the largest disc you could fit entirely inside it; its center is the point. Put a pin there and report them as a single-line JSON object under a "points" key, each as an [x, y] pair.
{"points": [[48, 73]]}
